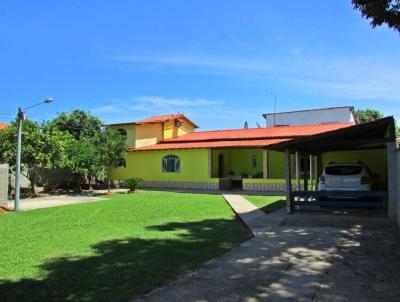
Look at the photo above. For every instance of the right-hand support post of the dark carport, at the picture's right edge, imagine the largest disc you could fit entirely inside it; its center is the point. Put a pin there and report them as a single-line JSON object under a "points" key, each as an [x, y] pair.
{"points": [[392, 179]]}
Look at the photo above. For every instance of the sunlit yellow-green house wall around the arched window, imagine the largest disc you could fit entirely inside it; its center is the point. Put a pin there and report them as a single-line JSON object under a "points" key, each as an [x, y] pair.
{"points": [[147, 165]]}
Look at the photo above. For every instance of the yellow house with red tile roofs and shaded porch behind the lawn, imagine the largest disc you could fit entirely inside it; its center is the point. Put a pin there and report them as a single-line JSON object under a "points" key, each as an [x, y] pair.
{"points": [[166, 152]]}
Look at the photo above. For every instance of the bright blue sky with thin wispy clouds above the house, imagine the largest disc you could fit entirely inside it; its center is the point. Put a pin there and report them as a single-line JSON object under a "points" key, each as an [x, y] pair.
{"points": [[216, 61]]}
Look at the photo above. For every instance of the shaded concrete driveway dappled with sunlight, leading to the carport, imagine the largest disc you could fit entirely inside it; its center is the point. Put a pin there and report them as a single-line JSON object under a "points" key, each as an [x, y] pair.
{"points": [[305, 258]]}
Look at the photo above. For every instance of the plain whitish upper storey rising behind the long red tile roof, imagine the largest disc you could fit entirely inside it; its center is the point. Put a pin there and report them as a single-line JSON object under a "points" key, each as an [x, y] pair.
{"points": [[343, 114]]}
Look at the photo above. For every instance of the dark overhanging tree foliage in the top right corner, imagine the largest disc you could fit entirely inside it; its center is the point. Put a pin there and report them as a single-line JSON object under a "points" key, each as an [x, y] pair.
{"points": [[380, 11]]}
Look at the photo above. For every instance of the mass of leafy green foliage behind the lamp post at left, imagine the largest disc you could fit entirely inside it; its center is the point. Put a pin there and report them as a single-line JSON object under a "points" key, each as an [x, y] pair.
{"points": [[74, 142]]}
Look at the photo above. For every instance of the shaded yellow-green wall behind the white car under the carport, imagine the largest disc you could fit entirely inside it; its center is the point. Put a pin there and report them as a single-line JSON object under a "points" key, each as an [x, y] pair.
{"points": [[375, 159]]}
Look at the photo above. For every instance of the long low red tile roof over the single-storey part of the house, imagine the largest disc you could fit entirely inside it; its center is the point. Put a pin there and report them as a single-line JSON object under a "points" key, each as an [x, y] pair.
{"points": [[255, 137]]}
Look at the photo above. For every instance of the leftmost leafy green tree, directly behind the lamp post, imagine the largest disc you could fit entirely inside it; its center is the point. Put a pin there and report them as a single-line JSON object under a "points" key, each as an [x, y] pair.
{"points": [[41, 148]]}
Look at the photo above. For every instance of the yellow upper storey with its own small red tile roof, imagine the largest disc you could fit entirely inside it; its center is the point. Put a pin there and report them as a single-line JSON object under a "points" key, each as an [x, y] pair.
{"points": [[152, 130]]}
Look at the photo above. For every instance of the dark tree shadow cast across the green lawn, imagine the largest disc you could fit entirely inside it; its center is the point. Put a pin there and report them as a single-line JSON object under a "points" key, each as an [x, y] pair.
{"points": [[123, 268]]}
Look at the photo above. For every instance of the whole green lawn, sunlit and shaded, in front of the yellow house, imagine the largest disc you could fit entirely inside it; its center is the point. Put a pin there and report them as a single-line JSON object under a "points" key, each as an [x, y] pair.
{"points": [[112, 249]]}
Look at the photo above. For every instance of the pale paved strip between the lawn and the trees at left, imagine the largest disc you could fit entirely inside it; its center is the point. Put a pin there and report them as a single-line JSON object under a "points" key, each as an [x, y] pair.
{"points": [[51, 201]]}
